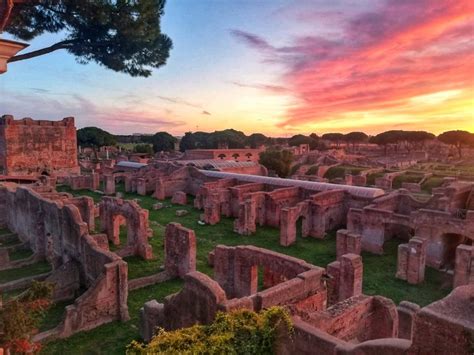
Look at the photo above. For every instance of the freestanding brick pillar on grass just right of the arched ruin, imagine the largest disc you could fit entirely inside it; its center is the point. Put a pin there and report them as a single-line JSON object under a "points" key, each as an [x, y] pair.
{"points": [[180, 250]]}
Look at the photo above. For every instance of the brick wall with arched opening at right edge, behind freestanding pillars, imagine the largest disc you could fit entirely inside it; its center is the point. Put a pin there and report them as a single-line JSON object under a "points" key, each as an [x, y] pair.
{"points": [[399, 214]]}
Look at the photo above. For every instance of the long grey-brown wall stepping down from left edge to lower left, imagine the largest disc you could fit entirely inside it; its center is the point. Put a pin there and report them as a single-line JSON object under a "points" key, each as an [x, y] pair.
{"points": [[55, 231]]}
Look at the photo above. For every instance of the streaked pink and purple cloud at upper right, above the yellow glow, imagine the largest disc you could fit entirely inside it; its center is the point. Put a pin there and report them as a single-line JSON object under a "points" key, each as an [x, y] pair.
{"points": [[383, 58]]}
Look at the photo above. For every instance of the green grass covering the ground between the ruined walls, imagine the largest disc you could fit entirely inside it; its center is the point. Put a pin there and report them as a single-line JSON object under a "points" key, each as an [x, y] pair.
{"points": [[112, 338]]}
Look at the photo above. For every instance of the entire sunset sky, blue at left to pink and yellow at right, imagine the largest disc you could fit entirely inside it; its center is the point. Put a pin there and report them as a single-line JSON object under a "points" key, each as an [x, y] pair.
{"points": [[275, 67]]}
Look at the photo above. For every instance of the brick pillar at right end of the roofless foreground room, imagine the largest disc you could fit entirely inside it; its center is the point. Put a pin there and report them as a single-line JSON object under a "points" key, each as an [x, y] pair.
{"points": [[351, 276]]}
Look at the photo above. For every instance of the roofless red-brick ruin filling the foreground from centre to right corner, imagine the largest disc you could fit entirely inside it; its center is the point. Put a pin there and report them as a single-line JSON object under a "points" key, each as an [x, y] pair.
{"points": [[330, 313]]}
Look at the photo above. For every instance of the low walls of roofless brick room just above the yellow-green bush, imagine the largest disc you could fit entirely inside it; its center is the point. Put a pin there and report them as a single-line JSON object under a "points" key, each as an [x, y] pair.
{"points": [[290, 281]]}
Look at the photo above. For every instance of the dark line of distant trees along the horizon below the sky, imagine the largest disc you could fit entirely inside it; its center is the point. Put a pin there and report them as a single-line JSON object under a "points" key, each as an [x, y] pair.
{"points": [[231, 138]]}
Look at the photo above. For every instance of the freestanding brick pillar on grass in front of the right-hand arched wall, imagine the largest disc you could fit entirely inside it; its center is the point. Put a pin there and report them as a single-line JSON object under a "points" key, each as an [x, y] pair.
{"points": [[412, 260]]}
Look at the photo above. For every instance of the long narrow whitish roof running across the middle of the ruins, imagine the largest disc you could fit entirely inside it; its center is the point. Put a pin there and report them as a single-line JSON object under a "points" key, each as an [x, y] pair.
{"points": [[366, 192]]}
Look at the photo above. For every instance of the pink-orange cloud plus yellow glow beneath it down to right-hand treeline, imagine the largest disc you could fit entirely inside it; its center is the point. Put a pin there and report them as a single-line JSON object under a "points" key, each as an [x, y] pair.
{"points": [[368, 77]]}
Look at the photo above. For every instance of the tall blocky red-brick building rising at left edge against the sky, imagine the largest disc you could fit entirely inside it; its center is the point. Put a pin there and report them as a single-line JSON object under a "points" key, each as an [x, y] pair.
{"points": [[36, 147]]}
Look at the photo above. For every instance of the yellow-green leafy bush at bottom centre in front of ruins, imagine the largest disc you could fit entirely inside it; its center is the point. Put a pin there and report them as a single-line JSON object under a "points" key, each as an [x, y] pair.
{"points": [[239, 332]]}
